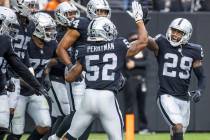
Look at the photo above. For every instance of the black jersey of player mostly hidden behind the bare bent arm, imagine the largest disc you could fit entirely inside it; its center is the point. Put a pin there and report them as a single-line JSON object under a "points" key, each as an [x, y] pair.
{"points": [[59, 68]]}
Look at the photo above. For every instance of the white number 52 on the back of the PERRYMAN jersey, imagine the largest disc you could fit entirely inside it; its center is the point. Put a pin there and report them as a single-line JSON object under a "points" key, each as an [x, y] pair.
{"points": [[94, 71]]}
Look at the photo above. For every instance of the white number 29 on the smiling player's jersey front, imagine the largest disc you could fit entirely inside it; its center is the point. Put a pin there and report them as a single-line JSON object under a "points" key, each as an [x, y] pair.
{"points": [[185, 65]]}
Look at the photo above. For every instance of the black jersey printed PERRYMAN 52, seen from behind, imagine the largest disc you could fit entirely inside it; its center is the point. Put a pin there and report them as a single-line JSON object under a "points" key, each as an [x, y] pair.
{"points": [[103, 63]]}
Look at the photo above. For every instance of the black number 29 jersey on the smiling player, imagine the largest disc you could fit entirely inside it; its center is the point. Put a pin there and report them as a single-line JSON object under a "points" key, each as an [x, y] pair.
{"points": [[175, 66]]}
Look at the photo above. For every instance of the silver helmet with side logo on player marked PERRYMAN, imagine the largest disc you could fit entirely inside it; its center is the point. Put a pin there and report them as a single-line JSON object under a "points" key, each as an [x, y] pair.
{"points": [[101, 29]]}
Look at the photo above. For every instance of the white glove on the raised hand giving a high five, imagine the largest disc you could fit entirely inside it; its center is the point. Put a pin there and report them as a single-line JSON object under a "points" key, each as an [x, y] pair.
{"points": [[137, 11]]}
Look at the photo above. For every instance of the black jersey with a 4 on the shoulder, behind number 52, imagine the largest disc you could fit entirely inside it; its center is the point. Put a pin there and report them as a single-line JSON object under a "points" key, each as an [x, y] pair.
{"points": [[81, 25]]}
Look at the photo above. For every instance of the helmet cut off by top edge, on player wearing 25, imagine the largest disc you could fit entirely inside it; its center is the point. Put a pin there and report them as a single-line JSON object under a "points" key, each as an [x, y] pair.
{"points": [[25, 7]]}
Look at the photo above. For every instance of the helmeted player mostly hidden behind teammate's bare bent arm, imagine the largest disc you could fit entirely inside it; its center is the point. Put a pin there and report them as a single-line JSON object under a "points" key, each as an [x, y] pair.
{"points": [[64, 13]]}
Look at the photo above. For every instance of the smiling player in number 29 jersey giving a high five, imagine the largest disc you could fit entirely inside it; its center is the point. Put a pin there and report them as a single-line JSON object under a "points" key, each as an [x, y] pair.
{"points": [[176, 59]]}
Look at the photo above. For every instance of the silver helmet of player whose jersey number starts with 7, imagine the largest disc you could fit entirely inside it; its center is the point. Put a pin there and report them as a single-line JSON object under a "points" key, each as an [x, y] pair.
{"points": [[45, 27]]}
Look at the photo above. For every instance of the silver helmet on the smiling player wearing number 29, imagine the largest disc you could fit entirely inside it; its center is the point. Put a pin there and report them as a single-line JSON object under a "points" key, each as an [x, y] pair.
{"points": [[183, 25]]}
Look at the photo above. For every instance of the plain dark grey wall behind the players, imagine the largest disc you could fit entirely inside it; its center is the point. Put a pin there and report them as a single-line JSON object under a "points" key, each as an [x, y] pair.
{"points": [[200, 114]]}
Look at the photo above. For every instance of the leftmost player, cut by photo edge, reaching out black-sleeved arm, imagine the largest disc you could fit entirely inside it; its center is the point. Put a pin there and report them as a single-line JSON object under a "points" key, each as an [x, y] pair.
{"points": [[9, 29]]}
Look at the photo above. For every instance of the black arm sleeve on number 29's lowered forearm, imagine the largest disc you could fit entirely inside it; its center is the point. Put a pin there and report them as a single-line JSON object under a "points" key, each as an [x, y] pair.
{"points": [[199, 72]]}
